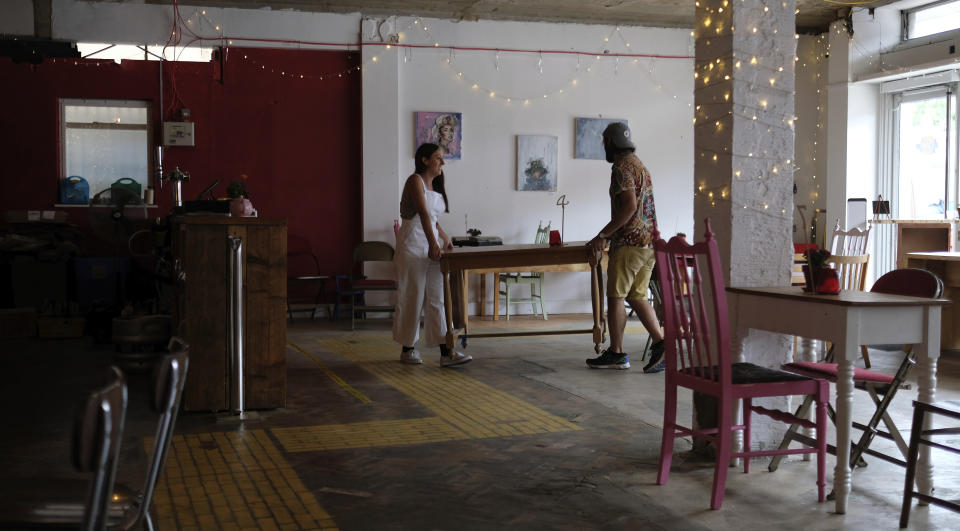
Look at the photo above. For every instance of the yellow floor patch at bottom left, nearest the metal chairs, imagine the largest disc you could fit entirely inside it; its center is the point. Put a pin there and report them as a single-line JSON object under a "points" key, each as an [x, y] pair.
{"points": [[233, 480]]}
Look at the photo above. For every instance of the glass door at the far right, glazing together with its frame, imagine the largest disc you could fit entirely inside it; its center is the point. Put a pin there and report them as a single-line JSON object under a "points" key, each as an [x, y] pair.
{"points": [[926, 149]]}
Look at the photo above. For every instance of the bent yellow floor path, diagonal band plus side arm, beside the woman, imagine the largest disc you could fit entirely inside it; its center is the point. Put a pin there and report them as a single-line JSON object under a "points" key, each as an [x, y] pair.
{"points": [[468, 406]]}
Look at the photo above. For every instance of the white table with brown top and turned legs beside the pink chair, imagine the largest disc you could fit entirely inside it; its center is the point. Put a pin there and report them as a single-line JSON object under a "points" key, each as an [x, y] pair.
{"points": [[850, 319]]}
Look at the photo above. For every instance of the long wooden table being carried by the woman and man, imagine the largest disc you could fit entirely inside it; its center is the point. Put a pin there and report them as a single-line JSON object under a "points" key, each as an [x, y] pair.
{"points": [[522, 257]]}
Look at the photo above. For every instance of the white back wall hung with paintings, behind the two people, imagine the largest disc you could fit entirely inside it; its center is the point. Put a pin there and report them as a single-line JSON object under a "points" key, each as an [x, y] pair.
{"points": [[653, 96]]}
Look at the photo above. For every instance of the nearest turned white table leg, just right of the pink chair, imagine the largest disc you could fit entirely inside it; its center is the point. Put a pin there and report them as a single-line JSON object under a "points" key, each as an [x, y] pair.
{"points": [[844, 352]]}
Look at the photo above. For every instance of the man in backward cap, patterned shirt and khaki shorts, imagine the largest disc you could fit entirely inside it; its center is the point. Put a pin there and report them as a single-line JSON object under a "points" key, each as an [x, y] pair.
{"points": [[629, 232]]}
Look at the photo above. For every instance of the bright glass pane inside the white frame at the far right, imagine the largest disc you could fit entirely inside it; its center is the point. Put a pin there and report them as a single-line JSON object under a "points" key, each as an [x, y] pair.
{"points": [[923, 158]]}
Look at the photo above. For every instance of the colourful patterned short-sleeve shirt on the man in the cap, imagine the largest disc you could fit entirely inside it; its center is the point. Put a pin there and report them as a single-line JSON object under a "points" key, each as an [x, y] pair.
{"points": [[628, 173]]}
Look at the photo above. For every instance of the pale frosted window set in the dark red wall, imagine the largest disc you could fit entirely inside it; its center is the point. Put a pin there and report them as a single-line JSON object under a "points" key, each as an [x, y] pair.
{"points": [[105, 140]]}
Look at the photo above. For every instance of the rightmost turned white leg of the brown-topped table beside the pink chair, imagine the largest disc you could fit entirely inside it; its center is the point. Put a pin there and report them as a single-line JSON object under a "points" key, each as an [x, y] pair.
{"points": [[927, 353]]}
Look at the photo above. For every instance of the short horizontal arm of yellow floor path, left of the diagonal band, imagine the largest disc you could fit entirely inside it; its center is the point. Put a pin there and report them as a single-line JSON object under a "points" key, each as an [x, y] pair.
{"points": [[367, 434]]}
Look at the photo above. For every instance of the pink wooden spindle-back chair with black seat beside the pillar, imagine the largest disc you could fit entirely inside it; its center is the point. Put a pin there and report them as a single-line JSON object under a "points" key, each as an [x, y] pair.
{"points": [[698, 358]]}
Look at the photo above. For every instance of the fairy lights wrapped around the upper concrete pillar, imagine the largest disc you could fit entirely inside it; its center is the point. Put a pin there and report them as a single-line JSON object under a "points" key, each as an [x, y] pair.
{"points": [[756, 78]]}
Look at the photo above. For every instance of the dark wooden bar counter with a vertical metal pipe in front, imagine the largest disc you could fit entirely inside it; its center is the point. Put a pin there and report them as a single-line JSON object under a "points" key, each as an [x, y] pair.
{"points": [[202, 247]]}
